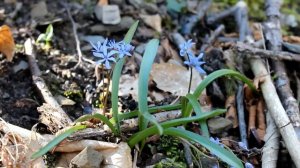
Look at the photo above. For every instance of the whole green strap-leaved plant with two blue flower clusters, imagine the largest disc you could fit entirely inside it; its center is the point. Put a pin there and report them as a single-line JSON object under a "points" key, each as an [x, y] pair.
{"points": [[111, 58]]}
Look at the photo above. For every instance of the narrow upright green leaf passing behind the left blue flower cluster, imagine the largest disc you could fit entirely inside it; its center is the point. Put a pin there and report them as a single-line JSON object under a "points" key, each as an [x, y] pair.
{"points": [[116, 77]]}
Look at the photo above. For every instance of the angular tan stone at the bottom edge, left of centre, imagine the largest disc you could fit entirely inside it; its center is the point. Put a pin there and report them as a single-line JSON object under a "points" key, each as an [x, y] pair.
{"points": [[87, 158]]}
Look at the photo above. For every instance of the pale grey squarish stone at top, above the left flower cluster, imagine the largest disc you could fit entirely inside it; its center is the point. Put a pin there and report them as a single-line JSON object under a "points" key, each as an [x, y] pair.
{"points": [[108, 14]]}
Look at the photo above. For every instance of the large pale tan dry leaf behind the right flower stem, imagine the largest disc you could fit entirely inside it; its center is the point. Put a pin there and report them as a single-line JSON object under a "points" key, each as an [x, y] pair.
{"points": [[174, 78]]}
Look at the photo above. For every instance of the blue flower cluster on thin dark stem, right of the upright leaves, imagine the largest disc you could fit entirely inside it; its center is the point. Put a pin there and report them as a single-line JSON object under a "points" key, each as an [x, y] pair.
{"points": [[193, 61]]}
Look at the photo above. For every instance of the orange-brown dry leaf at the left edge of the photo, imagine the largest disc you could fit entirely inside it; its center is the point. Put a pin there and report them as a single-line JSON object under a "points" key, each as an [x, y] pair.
{"points": [[7, 44]]}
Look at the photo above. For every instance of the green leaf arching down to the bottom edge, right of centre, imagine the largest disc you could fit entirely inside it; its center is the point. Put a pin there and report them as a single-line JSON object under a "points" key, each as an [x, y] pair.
{"points": [[222, 153]]}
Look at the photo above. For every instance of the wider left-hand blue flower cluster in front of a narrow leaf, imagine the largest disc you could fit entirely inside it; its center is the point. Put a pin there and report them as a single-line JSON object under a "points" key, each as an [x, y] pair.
{"points": [[107, 51]]}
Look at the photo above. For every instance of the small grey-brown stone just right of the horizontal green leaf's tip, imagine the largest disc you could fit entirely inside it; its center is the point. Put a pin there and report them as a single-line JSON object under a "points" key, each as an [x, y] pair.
{"points": [[219, 124]]}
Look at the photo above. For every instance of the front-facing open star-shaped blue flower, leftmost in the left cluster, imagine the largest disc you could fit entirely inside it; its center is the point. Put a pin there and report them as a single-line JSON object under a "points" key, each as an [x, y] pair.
{"points": [[105, 56]]}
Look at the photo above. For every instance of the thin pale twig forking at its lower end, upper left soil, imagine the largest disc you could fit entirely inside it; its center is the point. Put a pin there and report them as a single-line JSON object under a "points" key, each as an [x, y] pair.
{"points": [[77, 41]]}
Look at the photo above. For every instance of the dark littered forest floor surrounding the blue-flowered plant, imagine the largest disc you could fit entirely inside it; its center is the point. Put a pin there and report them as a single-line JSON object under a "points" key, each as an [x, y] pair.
{"points": [[77, 90]]}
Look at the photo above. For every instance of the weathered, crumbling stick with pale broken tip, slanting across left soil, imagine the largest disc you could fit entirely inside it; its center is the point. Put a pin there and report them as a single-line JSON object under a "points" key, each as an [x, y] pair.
{"points": [[58, 117]]}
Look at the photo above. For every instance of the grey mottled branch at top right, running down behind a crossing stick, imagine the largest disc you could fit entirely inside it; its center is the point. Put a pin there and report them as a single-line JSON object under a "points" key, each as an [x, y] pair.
{"points": [[273, 38]]}
